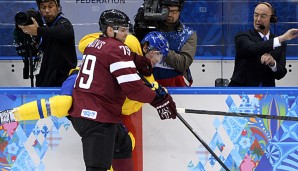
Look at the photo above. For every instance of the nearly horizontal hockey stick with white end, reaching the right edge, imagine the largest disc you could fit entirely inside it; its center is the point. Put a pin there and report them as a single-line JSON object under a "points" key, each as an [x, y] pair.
{"points": [[246, 115]]}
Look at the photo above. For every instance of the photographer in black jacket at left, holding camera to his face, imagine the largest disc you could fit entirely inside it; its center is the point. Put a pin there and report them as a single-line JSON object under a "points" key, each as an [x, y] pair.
{"points": [[57, 44]]}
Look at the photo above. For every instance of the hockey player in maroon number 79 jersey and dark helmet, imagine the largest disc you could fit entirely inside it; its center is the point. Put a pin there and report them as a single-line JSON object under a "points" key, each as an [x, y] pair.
{"points": [[107, 76]]}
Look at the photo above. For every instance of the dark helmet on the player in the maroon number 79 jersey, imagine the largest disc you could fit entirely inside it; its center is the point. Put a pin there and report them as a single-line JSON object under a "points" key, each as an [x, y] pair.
{"points": [[113, 18]]}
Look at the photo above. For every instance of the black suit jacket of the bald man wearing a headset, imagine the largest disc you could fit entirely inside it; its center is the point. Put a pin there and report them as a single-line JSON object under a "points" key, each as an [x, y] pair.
{"points": [[248, 70]]}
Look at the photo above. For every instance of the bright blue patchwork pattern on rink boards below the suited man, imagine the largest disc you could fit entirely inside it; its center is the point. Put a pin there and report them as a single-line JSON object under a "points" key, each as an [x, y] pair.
{"points": [[260, 144]]}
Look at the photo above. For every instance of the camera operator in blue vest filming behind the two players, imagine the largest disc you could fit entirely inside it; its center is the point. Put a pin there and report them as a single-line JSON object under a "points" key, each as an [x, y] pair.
{"points": [[183, 41]]}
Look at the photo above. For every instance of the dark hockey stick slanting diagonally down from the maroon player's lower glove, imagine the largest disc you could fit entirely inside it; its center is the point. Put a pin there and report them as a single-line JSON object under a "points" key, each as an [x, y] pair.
{"points": [[191, 130]]}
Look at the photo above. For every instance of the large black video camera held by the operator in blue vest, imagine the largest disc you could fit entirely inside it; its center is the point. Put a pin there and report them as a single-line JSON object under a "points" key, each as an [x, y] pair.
{"points": [[148, 17]]}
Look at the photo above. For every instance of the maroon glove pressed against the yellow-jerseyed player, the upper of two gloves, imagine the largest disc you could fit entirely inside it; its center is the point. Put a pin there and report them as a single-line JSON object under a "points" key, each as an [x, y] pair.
{"points": [[143, 64]]}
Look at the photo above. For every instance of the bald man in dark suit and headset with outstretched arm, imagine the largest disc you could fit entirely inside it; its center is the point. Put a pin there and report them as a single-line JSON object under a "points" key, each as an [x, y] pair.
{"points": [[260, 55]]}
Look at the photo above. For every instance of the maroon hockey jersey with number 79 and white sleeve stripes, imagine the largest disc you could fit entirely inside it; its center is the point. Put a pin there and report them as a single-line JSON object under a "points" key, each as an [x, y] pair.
{"points": [[107, 75]]}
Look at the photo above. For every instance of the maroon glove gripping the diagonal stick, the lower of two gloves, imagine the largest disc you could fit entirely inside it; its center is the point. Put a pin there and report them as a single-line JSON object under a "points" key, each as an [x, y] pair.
{"points": [[165, 106]]}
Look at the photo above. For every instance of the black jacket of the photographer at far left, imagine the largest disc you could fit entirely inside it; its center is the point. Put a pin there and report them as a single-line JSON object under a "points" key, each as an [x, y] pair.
{"points": [[58, 45]]}
